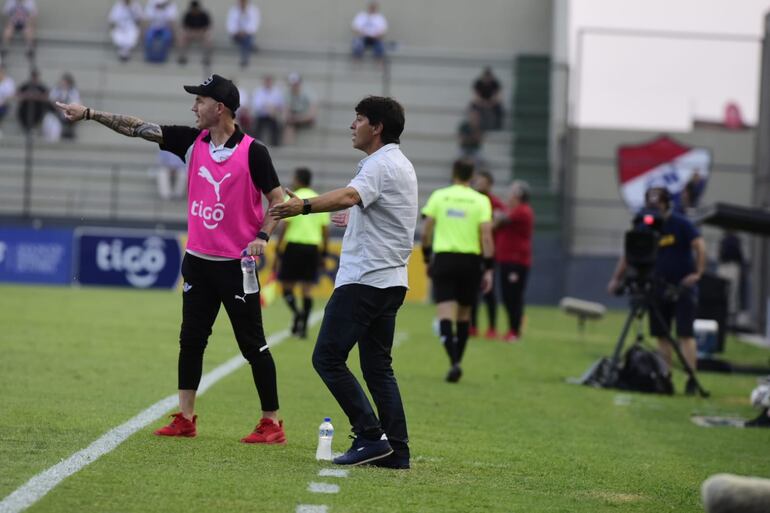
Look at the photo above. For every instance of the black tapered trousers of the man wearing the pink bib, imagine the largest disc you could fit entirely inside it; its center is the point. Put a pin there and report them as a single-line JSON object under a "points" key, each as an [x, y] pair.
{"points": [[207, 286]]}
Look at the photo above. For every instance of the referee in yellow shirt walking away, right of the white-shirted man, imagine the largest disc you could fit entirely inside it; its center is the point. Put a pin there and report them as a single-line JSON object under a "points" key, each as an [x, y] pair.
{"points": [[458, 248]]}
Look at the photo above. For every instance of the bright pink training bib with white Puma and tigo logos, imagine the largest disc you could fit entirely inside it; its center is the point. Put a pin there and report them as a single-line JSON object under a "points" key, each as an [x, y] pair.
{"points": [[224, 208]]}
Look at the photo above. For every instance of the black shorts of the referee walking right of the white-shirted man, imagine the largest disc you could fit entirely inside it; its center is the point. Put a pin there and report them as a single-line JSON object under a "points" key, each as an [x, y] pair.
{"points": [[456, 277]]}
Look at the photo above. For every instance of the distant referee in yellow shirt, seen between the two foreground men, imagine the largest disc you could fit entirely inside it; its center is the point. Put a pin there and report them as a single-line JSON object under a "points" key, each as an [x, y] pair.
{"points": [[306, 239]]}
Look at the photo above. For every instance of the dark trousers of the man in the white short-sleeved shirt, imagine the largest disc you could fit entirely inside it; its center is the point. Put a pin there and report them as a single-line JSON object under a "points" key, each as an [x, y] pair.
{"points": [[367, 315]]}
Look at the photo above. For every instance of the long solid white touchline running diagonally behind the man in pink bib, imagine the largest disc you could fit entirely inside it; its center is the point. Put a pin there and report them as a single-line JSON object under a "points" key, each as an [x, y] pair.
{"points": [[39, 485]]}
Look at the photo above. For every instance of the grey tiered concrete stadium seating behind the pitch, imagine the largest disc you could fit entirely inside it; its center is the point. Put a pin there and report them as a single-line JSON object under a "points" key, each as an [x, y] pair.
{"points": [[103, 176]]}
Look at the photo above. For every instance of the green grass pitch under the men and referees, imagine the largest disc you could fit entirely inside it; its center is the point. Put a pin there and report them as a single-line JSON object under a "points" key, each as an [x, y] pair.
{"points": [[512, 436]]}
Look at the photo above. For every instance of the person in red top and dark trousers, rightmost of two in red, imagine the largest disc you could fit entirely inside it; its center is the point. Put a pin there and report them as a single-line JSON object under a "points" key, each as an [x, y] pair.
{"points": [[513, 254]]}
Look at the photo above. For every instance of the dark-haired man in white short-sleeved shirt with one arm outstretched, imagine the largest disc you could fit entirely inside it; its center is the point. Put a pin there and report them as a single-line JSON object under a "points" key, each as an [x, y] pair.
{"points": [[370, 285]]}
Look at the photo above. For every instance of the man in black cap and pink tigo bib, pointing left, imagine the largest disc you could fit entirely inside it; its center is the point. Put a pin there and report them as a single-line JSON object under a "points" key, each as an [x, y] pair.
{"points": [[211, 266]]}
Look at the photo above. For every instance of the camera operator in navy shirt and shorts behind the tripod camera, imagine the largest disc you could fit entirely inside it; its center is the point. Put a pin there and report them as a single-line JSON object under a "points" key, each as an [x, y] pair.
{"points": [[680, 262]]}
